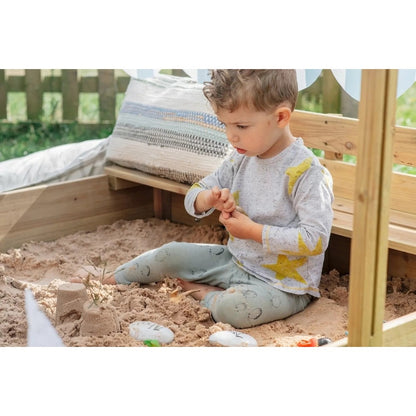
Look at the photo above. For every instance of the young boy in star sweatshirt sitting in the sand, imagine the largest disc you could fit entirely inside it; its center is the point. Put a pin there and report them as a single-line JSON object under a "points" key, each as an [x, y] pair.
{"points": [[274, 199]]}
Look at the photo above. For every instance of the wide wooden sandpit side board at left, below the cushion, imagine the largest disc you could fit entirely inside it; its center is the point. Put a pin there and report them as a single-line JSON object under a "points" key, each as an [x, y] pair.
{"points": [[50, 211]]}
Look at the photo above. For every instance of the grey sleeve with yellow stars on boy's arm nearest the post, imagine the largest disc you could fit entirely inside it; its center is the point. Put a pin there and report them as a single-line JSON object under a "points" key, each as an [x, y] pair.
{"points": [[312, 199]]}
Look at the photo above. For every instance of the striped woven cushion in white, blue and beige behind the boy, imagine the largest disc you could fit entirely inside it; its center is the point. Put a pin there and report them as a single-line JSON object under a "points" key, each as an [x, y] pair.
{"points": [[167, 128]]}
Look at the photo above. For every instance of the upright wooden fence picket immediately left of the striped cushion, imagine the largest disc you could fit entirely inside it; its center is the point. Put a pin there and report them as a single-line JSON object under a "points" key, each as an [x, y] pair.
{"points": [[107, 95]]}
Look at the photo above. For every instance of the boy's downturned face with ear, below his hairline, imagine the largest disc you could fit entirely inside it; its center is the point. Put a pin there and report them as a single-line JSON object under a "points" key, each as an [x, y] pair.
{"points": [[256, 133]]}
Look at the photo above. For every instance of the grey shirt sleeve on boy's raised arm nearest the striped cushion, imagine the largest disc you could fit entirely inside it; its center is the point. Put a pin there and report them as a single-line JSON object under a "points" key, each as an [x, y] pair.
{"points": [[222, 178]]}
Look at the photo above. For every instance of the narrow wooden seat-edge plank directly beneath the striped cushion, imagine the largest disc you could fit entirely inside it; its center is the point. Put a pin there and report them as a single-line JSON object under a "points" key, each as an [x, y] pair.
{"points": [[146, 179]]}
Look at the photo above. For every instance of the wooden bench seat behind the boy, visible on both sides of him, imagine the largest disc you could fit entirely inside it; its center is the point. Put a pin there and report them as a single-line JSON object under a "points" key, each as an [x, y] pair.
{"points": [[402, 227]]}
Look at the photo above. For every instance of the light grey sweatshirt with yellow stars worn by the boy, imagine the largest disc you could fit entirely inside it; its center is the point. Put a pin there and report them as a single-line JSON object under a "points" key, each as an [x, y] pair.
{"points": [[291, 195]]}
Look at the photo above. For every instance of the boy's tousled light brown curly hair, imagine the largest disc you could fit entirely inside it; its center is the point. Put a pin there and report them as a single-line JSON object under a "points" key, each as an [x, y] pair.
{"points": [[261, 89]]}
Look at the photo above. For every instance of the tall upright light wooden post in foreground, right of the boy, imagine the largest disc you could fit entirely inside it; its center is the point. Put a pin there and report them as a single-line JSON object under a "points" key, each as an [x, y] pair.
{"points": [[369, 246]]}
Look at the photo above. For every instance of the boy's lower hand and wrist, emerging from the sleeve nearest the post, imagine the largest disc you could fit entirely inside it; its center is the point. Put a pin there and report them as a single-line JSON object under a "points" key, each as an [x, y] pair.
{"points": [[241, 226]]}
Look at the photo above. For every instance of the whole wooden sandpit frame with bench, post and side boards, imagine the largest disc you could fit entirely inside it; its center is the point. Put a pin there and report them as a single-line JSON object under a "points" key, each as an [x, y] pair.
{"points": [[374, 230]]}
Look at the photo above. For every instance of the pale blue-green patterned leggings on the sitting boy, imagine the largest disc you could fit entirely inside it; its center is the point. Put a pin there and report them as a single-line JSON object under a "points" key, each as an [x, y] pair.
{"points": [[246, 301]]}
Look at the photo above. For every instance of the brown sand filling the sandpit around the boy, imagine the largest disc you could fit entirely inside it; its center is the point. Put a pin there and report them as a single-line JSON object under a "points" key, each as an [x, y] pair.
{"points": [[45, 267]]}
